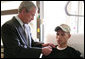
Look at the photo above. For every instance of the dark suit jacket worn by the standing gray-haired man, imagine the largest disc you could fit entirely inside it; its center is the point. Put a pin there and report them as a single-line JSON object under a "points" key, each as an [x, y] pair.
{"points": [[15, 44]]}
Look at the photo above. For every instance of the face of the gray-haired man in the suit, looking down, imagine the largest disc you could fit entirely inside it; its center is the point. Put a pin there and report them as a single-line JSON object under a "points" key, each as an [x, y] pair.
{"points": [[28, 16]]}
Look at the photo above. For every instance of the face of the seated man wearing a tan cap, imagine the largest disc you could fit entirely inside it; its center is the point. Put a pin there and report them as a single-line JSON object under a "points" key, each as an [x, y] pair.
{"points": [[62, 37]]}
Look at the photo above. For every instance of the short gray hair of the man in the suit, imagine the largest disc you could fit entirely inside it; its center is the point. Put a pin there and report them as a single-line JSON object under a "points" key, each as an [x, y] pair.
{"points": [[26, 4]]}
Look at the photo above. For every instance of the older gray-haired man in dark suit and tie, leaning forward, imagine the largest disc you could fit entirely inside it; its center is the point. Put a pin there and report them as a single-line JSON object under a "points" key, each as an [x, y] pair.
{"points": [[16, 35]]}
